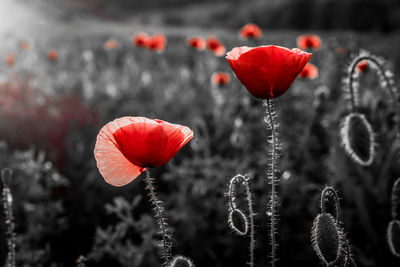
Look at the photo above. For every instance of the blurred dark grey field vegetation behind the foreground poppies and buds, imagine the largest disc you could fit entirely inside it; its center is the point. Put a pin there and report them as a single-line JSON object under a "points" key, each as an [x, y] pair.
{"points": [[59, 107]]}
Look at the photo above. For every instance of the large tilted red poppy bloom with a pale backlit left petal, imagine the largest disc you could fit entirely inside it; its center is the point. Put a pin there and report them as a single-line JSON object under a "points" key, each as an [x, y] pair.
{"points": [[128, 145]]}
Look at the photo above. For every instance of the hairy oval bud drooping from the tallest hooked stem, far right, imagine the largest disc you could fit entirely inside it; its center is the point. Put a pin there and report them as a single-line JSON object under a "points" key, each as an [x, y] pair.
{"points": [[357, 138]]}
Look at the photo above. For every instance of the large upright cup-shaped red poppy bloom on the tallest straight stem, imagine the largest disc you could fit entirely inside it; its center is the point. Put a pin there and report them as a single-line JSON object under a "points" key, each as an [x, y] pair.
{"points": [[267, 71]]}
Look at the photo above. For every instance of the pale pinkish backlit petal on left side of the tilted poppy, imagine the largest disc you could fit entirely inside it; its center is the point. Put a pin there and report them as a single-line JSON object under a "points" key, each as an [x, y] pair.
{"points": [[115, 168]]}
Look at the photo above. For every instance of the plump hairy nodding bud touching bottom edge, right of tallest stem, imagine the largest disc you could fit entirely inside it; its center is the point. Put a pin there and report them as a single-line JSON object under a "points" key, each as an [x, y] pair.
{"points": [[326, 238]]}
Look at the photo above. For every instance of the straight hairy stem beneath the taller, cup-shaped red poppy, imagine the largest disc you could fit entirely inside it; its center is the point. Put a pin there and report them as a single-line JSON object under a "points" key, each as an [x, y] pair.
{"points": [[271, 176]]}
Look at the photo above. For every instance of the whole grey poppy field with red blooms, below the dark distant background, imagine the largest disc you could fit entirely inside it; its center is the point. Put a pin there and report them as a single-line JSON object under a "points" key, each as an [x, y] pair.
{"points": [[161, 147]]}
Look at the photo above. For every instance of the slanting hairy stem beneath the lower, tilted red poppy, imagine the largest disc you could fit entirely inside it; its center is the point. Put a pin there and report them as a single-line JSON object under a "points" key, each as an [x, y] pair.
{"points": [[158, 208]]}
